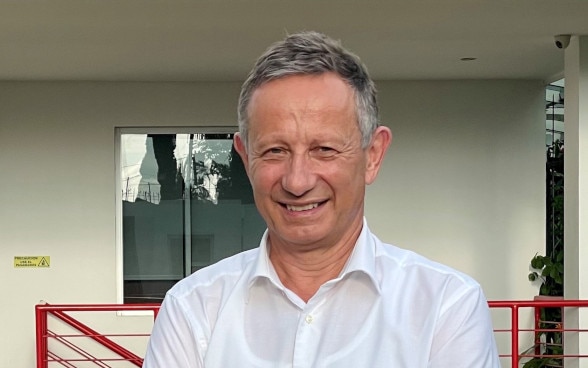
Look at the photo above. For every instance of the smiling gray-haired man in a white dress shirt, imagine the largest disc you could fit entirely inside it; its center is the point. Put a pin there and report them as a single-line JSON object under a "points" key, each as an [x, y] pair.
{"points": [[321, 290]]}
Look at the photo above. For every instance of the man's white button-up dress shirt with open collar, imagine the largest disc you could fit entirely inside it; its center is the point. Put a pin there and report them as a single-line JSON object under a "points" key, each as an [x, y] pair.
{"points": [[389, 308]]}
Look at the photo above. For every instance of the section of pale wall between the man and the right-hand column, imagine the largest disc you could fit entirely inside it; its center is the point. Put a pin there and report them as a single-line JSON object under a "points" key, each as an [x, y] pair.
{"points": [[464, 181]]}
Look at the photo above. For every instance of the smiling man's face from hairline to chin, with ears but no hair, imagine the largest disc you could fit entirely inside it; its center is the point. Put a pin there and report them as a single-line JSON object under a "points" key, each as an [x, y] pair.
{"points": [[305, 161]]}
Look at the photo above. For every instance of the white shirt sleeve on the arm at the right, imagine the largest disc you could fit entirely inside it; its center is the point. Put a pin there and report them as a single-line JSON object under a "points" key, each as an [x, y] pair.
{"points": [[464, 335]]}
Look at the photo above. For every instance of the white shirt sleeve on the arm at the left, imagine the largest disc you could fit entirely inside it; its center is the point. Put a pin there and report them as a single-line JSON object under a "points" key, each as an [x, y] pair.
{"points": [[173, 342]]}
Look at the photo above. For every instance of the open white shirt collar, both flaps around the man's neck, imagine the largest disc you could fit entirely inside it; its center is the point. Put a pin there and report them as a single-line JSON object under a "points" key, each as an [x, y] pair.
{"points": [[362, 260]]}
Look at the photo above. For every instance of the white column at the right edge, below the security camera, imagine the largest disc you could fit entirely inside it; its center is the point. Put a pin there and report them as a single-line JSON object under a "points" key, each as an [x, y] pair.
{"points": [[576, 193]]}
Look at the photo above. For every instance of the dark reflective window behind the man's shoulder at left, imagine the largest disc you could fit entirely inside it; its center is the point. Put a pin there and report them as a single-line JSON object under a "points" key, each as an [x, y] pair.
{"points": [[184, 203]]}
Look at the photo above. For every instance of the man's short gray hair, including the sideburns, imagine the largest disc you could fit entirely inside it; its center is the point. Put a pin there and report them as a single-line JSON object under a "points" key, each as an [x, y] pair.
{"points": [[313, 53]]}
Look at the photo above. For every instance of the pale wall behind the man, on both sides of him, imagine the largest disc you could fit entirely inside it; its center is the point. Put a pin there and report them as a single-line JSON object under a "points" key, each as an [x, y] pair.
{"points": [[463, 182]]}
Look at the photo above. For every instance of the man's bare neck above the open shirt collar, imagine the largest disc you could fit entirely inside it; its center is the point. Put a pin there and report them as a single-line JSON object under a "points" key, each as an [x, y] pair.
{"points": [[303, 271]]}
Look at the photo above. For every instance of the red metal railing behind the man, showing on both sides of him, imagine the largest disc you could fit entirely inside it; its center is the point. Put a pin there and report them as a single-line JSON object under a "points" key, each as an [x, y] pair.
{"points": [[517, 352]]}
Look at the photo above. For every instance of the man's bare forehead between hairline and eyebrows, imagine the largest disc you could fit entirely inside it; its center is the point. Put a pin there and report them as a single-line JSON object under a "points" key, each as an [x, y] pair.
{"points": [[303, 109]]}
